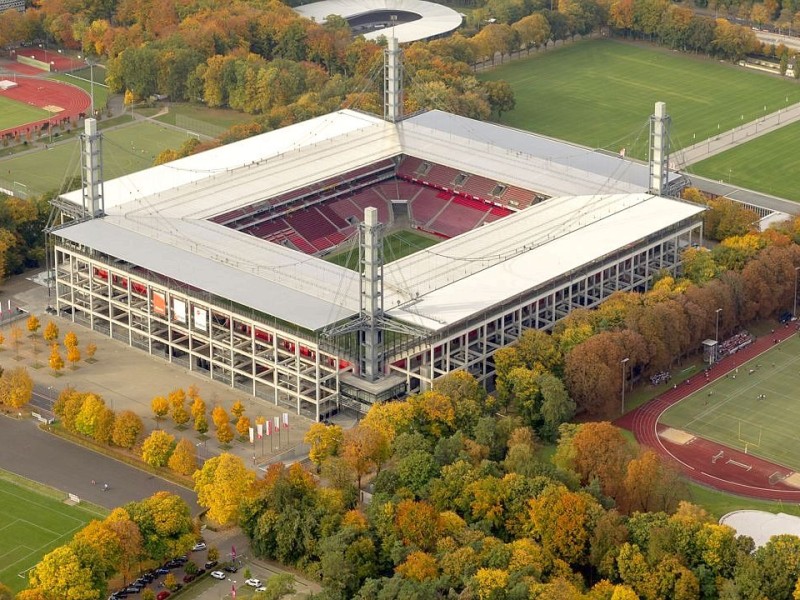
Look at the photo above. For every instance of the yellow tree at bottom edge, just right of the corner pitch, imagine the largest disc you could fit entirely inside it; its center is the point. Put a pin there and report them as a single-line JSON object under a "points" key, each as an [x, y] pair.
{"points": [[60, 575]]}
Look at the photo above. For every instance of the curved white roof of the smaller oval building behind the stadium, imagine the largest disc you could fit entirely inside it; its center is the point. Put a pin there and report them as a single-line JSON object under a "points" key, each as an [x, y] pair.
{"points": [[436, 19]]}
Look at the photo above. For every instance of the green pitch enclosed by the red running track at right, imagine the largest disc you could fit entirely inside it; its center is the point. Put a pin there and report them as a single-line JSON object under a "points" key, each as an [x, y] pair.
{"points": [[734, 416]]}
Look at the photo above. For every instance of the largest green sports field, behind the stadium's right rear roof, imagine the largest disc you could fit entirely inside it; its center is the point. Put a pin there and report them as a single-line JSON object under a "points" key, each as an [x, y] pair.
{"points": [[600, 93]]}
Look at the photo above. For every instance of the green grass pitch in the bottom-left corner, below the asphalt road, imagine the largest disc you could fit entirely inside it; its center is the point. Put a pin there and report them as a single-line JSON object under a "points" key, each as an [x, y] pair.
{"points": [[31, 525]]}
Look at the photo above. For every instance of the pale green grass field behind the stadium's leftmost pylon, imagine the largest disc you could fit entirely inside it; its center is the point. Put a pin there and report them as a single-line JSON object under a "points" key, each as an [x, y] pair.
{"points": [[126, 149]]}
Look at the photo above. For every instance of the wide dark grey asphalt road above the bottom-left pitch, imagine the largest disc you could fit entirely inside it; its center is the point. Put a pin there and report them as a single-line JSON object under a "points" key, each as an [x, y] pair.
{"points": [[30, 452]]}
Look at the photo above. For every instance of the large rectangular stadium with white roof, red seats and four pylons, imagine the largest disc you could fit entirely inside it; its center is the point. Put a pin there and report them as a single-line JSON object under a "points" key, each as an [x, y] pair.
{"points": [[217, 261]]}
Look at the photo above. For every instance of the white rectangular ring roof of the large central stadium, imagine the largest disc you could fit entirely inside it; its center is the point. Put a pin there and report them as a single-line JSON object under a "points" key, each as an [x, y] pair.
{"points": [[158, 218]]}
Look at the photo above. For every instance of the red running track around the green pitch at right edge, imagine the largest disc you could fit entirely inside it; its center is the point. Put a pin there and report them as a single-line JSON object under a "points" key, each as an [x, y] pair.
{"points": [[732, 471]]}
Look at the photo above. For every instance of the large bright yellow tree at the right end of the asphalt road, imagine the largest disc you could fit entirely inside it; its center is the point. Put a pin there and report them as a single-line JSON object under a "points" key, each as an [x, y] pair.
{"points": [[221, 484]]}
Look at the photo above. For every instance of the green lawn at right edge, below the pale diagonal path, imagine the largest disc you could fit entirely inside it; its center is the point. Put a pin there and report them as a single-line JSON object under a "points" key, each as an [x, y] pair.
{"points": [[764, 164]]}
